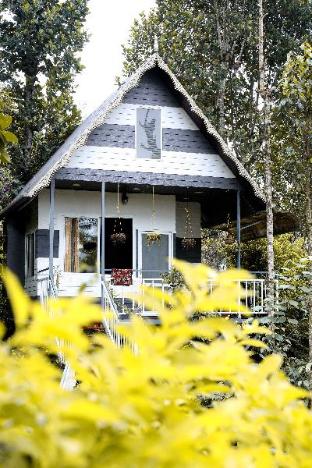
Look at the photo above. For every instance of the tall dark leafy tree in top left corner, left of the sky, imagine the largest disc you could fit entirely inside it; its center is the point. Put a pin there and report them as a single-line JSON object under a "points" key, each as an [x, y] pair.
{"points": [[40, 41]]}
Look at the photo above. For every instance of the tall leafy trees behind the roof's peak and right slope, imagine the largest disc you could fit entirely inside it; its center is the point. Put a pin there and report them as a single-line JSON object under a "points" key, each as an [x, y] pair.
{"points": [[212, 47]]}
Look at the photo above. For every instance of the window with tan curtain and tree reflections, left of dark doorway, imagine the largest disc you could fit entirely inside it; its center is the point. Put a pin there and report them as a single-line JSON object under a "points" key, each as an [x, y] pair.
{"points": [[81, 245]]}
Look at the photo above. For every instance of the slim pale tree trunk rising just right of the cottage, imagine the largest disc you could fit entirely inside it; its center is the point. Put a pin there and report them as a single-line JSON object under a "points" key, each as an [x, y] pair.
{"points": [[266, 152]]}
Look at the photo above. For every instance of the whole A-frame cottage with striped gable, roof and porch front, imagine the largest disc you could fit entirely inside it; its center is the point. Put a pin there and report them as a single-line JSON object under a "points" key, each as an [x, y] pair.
{"points": [[129, 190]]}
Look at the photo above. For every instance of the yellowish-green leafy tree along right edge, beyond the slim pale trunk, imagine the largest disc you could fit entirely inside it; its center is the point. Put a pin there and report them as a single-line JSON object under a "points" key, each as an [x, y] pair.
{"points": [[295, 119]]}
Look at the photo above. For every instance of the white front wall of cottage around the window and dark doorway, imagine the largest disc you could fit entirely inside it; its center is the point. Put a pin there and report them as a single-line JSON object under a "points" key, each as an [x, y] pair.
{"points": [[71, 203]]}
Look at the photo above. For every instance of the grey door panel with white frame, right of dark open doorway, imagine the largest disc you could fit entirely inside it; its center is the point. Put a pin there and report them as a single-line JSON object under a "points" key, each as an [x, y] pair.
{"points": [[155, 256]]}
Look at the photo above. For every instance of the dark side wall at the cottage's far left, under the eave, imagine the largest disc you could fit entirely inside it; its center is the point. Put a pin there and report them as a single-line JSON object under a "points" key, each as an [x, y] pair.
{"points": [[15, 244]]}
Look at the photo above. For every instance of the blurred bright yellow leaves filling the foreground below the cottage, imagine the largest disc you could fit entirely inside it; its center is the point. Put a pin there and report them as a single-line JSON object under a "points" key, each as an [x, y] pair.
{"points": [[145, 409]]}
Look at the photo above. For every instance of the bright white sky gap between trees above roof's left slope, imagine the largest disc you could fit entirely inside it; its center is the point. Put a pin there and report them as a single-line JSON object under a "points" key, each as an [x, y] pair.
{"points": [[108, 26]]}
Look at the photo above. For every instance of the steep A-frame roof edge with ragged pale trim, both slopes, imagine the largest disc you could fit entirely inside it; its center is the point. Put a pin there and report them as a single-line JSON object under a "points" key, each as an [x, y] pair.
{"points": [[43, 177]]}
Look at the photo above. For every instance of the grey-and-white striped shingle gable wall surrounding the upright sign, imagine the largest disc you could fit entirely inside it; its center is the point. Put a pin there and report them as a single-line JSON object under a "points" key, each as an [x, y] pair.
{"points": [[185, 150]]}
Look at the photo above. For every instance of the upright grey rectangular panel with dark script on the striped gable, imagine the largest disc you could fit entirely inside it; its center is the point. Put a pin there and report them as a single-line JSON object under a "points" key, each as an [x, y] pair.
{"points": [[148, 133]]}
